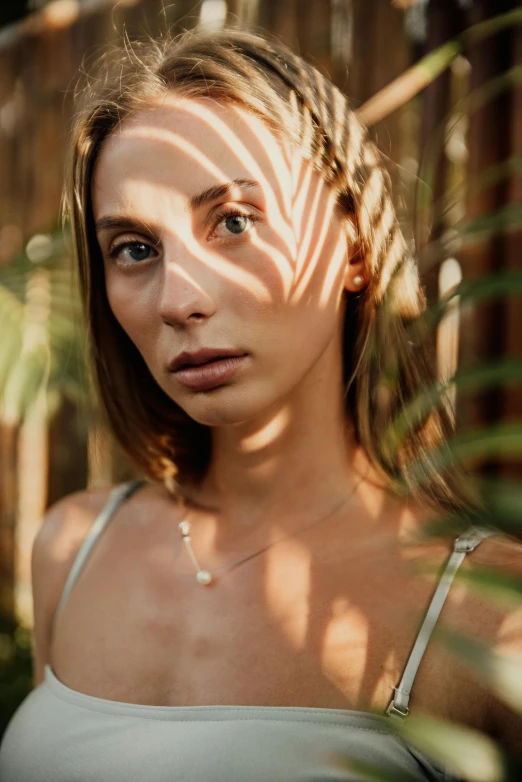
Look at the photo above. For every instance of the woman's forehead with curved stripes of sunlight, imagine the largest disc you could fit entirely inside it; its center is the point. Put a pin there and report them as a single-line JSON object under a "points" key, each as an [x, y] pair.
{"points": [[180, 146]]}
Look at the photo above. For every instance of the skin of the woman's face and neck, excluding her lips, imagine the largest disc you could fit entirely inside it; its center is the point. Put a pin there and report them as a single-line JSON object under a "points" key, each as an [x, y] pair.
{"points": [[182, 280]]}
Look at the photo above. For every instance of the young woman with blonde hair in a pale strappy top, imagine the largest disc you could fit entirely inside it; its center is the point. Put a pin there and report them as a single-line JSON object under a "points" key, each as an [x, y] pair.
{"points": [[247, 288]]}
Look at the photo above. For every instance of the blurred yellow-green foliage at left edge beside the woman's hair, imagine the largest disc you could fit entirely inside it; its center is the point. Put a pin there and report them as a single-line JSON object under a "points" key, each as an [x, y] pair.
{"points": [[42, 346]]}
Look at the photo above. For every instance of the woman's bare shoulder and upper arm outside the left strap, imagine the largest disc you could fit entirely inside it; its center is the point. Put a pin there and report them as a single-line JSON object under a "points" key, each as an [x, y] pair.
{"points": [[55, 547]]}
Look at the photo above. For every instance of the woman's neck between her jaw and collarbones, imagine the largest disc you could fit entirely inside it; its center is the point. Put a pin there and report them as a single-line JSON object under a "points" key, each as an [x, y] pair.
{"points": [[295, 462]]}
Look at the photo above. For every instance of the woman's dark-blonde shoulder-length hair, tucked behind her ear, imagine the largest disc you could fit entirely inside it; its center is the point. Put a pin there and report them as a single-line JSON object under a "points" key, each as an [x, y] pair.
{"points": [[292, 97]]}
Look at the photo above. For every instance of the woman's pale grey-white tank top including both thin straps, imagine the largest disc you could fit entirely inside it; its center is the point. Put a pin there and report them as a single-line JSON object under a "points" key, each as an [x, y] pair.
{"points": [[60, 735]]}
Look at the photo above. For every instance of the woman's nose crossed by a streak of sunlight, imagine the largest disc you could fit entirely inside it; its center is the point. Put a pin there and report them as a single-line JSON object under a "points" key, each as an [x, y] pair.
{"points": [[185, 296]]}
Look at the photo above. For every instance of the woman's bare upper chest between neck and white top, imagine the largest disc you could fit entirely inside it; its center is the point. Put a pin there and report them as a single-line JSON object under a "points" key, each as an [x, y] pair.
{"points": [[286, 630]]}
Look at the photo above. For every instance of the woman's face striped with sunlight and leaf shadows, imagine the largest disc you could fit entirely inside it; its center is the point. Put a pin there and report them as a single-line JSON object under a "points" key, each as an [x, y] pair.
{"points": [[219, 240]]}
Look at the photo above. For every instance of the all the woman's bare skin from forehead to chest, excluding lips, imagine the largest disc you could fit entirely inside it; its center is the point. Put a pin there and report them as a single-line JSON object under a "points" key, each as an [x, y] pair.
{"points": [[214, 233]]}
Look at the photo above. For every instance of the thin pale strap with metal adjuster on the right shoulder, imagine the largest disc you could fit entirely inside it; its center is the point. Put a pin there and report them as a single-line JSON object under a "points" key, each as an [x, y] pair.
{"points": [[463, 545]]}
